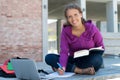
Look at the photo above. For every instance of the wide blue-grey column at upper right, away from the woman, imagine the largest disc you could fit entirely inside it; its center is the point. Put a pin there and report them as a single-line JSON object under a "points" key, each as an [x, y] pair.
{"points": [[112, 16]]}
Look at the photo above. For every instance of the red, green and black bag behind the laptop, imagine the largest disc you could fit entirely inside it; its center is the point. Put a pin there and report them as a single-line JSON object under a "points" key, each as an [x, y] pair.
{"points": [[6, 70]]}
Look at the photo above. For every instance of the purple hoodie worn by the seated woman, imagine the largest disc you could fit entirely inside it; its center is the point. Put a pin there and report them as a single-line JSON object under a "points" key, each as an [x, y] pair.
{"points": [[70, 43]]}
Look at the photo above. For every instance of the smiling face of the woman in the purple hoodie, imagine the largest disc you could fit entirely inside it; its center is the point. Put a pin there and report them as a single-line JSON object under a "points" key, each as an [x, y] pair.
{"points": [[74, 17]]}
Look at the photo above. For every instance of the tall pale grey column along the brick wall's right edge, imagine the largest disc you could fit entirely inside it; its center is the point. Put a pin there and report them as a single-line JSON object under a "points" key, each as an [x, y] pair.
{"points": [[45, 27]]}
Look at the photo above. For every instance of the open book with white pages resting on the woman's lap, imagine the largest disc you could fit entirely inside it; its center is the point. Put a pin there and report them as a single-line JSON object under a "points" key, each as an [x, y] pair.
{"points": [[86, 52]]}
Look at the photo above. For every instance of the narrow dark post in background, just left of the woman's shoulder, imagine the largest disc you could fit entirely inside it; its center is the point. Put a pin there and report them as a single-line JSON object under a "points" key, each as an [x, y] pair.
{"points": [[58, 34]]}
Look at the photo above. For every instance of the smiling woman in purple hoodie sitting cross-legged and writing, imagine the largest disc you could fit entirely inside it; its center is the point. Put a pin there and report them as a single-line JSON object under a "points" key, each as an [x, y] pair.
{"points": [[77, 34]]}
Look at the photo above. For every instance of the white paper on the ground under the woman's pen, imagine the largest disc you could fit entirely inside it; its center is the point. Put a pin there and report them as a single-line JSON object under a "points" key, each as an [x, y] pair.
{"points": [[55, 75]]}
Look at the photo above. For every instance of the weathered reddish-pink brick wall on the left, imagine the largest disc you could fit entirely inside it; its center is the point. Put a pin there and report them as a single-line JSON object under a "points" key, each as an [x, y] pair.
{"points": [[20, 29]]}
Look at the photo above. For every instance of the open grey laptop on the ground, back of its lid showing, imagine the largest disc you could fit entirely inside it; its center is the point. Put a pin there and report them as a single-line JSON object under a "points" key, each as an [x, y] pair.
{"points": [[25, 69]]}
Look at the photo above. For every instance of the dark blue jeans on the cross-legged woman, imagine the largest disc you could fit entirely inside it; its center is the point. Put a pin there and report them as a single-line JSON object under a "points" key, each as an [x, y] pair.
{"points": [[93, 59]]}
